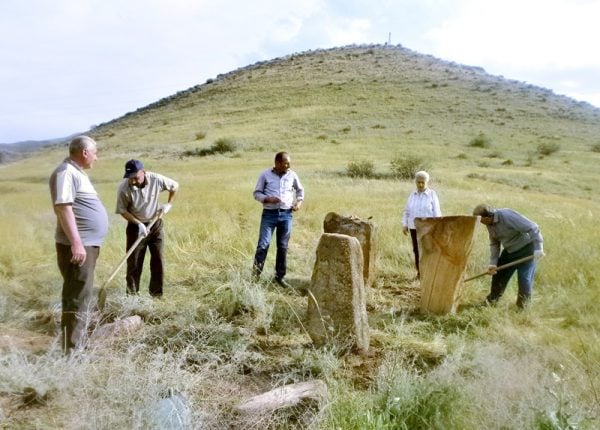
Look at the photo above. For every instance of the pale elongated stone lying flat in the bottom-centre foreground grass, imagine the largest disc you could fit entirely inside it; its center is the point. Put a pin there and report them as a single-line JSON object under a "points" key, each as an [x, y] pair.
{"points": [[285, 396]]}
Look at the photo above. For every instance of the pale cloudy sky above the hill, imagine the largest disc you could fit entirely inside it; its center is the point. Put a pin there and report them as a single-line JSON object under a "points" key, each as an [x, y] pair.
{"points": [[66, 65]]}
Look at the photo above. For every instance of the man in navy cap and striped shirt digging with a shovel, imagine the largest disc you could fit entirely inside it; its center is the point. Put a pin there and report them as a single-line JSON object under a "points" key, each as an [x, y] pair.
{"points": [[137, 202]]}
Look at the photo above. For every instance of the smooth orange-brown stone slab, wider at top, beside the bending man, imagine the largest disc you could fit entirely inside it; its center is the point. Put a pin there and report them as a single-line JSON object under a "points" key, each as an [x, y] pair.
{"points": [[444, 247]]}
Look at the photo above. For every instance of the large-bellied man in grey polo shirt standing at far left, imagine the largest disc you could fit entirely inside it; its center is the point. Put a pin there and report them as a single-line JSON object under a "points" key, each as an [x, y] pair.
{"points": [[82, 224]]}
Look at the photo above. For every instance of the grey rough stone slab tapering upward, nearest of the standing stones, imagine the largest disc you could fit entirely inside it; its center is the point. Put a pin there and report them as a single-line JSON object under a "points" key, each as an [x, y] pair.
{"points": [[336, 300]]}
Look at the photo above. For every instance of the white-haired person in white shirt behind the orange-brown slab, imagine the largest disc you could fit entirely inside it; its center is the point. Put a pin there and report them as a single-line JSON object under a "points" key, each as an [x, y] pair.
{"points": [[422, 203]]}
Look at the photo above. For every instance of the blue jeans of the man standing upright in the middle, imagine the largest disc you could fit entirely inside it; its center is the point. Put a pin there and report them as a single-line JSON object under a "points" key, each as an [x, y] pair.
{"points": [[280, 219]]}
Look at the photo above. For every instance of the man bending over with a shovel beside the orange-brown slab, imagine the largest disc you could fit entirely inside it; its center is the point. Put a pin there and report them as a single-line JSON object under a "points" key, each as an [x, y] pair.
{"points": [[518, 237]]}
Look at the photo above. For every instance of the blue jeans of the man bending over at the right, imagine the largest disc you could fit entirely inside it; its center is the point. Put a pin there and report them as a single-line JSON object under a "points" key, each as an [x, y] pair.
{"points": [[525, 274]]}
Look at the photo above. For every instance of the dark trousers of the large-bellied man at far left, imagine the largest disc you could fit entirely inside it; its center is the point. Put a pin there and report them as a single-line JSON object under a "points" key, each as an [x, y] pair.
{"points": [[78, 299]]}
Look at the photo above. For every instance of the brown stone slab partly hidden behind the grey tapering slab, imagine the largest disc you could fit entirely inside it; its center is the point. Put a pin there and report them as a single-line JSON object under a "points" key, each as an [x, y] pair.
{"points": [[364, 231]]}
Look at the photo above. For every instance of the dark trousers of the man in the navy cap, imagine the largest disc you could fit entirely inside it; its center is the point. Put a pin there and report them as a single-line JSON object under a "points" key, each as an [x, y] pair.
{"points": [[135, 263]]}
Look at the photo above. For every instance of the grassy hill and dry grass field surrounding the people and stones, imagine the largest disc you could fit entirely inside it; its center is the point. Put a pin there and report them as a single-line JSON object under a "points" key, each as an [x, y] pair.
{"points": [[219, 338]]}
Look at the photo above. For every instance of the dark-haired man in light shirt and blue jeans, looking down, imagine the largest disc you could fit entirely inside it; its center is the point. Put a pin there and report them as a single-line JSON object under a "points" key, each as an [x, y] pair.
{"points": [[275, 189]]}
